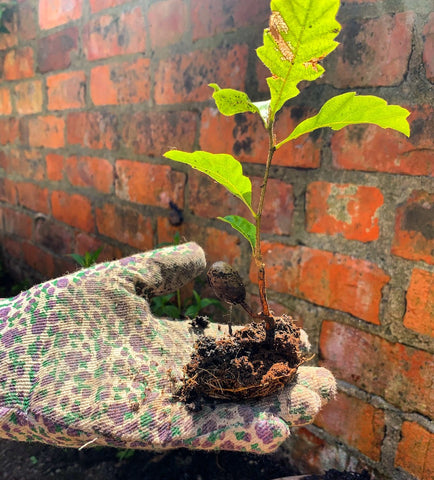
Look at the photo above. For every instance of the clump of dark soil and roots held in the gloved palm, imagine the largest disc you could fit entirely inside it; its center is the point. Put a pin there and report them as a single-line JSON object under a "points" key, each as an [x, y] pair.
{"points": [[244, 365]]}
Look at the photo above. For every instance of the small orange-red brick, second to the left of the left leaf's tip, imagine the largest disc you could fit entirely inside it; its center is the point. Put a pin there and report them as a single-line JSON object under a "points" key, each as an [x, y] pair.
{"points": [[93, 172]]}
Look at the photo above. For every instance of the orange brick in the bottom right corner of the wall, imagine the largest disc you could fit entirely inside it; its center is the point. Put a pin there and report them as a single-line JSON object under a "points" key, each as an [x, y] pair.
{"points": [[415, 452]]}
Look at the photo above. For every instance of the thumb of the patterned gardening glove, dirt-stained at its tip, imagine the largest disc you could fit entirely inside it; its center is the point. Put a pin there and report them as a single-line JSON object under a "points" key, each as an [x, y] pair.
{"points": [[160, 271]]}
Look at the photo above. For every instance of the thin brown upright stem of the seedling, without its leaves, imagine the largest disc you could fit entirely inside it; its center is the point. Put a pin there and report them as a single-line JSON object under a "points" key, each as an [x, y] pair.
{"points": [[257, 253]]}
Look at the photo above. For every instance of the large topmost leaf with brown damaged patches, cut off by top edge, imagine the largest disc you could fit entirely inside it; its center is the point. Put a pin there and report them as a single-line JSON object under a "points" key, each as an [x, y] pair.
{"points": [[300, 34]]}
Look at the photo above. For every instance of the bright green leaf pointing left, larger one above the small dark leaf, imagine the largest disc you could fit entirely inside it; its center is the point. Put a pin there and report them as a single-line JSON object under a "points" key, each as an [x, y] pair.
{"points": [[221, 167]]}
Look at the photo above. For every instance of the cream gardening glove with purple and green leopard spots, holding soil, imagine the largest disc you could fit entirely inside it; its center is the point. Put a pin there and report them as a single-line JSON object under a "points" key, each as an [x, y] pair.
{"points": [[83, 362]]}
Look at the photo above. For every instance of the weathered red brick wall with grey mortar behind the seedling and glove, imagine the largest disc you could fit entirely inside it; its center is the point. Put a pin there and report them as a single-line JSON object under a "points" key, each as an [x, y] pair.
{"points": [[92, 92]]}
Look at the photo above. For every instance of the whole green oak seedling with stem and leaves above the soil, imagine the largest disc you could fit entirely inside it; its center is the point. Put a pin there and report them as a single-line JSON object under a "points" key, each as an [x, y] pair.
{"points": [[299, 36]]}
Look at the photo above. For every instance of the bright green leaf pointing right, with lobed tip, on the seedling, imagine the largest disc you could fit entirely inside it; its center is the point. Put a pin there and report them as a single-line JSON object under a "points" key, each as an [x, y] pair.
{"points": [[351, 109]]}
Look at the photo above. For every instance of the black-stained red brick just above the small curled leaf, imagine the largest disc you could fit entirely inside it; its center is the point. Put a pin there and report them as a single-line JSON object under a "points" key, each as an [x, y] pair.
{"points": [[184, 78]]}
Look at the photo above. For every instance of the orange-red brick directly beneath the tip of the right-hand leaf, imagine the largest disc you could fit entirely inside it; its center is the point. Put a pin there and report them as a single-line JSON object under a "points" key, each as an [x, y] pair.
{"points": [[370, 148]]}
